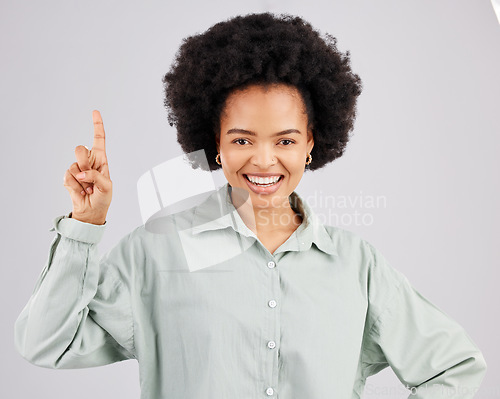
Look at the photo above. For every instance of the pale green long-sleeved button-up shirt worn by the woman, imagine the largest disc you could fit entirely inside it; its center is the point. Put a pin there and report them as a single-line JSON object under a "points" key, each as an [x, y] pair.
{"points": [[209, 312]]}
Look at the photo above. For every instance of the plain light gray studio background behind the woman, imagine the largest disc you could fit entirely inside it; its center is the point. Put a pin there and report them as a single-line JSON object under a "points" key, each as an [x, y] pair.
{"points": [[426, 139]]}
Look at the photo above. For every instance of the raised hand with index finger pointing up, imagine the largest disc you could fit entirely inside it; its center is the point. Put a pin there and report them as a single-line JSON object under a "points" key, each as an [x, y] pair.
{"points": [[91, 195]]}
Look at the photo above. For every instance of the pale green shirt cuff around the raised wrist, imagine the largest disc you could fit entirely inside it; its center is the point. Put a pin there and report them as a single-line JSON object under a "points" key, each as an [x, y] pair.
{"points": [[77, 230]]}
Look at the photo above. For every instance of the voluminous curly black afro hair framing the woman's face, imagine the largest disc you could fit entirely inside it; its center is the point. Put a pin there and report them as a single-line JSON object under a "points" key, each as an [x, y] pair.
{"points": [[261, 49]]}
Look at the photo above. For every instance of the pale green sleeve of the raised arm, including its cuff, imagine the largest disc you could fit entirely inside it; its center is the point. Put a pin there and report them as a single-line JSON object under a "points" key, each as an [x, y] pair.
{"points": [[57, 328]]}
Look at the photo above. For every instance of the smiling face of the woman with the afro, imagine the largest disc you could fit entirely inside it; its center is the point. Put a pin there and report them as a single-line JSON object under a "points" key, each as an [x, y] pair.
{"points": [[264, 142]]}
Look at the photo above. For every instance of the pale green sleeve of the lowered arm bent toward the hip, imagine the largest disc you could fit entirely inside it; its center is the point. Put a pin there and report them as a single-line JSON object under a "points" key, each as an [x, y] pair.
{"points": [[430, 353]]}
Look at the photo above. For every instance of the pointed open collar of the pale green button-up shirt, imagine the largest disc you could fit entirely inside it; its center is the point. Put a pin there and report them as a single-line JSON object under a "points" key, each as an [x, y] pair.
{"points": [[218, 212]]}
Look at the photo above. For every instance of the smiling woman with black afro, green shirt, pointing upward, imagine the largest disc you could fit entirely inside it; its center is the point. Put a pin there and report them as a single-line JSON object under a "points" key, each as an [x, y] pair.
{"points": [[285, 306]]}
